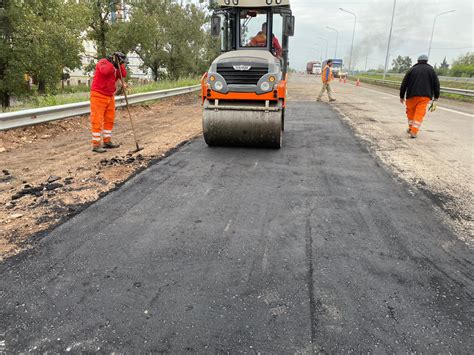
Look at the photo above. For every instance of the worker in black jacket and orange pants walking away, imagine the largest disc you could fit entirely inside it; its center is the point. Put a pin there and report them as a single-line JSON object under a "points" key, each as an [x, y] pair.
{"points": [[421, 85]]}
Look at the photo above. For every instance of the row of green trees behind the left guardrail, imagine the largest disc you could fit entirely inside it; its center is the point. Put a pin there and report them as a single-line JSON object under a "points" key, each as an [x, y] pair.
{"points": [[43, 39]]}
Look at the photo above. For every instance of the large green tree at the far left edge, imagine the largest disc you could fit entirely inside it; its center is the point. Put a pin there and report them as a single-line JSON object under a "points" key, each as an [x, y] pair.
{"points": [[39, 38]]}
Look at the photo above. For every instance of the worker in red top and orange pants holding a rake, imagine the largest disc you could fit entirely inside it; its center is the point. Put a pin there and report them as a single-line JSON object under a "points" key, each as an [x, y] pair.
{"points": [[103, 100]]}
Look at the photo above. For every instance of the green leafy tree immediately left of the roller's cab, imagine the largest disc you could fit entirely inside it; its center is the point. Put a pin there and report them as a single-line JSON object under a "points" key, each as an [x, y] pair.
{"points": [[170, 39]]}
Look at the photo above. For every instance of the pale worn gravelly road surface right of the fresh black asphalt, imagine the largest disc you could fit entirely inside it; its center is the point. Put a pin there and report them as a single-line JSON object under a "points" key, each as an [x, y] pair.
{"points": [[438, 164]]}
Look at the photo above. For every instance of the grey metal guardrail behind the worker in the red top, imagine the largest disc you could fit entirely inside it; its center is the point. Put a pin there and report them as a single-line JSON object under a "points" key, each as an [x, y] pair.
{"points": [[30, 117]]}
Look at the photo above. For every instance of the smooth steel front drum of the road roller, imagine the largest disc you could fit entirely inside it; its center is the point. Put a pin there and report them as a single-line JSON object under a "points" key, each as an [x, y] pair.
{"points": [[243, 128]]}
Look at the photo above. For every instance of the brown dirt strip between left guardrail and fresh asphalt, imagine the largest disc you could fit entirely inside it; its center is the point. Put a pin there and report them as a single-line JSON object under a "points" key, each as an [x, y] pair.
{"points": [[48, 172]]}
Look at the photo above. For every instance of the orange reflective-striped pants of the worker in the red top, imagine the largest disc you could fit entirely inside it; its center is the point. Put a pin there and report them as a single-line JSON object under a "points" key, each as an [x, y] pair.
{"points": [[102, 117]]}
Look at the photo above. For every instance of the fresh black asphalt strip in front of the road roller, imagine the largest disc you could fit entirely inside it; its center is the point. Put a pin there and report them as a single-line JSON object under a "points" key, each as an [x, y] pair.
{"points": [[310, 248]]}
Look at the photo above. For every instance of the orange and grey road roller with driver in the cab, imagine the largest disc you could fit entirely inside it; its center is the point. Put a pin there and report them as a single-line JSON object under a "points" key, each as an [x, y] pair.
{"points": [[244, 91]]}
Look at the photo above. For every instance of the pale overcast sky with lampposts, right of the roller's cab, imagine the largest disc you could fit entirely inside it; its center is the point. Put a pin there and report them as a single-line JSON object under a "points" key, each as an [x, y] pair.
{"points": [[411, 31]]}
